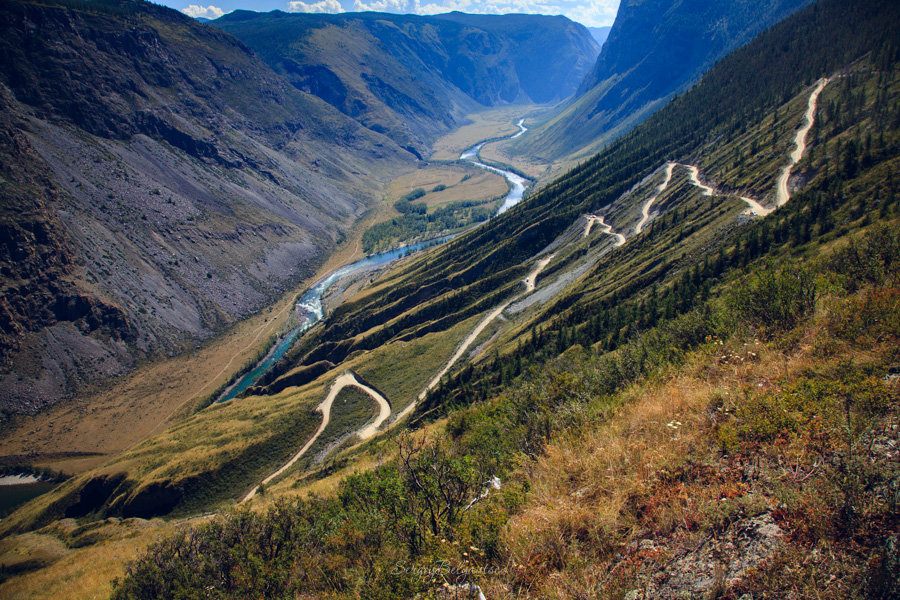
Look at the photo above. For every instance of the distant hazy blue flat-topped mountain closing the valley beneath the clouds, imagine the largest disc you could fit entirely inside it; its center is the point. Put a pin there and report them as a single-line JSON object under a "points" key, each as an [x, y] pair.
{"points": [[411, 77]]}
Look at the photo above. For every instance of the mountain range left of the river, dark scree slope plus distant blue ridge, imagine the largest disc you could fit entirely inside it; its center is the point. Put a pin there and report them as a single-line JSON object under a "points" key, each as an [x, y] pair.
{"points": [[163, 182]]}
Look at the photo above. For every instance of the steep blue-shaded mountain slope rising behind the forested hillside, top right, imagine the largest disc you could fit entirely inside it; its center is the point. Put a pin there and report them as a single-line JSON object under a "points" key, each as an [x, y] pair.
{"points": [[655, 49]]}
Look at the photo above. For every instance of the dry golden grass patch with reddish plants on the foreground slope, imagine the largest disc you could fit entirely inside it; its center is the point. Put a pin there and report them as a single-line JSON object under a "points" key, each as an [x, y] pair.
{"points": [[601, 487]]}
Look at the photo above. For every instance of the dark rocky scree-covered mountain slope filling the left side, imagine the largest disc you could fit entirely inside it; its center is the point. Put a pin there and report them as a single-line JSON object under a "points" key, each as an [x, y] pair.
{"points": [[159, 182]]}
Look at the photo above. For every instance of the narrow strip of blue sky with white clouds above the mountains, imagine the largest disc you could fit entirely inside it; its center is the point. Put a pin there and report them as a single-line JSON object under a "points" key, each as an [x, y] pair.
{"points": [[593, 13]]}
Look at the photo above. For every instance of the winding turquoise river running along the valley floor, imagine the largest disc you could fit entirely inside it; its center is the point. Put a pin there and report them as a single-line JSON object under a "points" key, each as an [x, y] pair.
{"points": [[309, 307]]}
